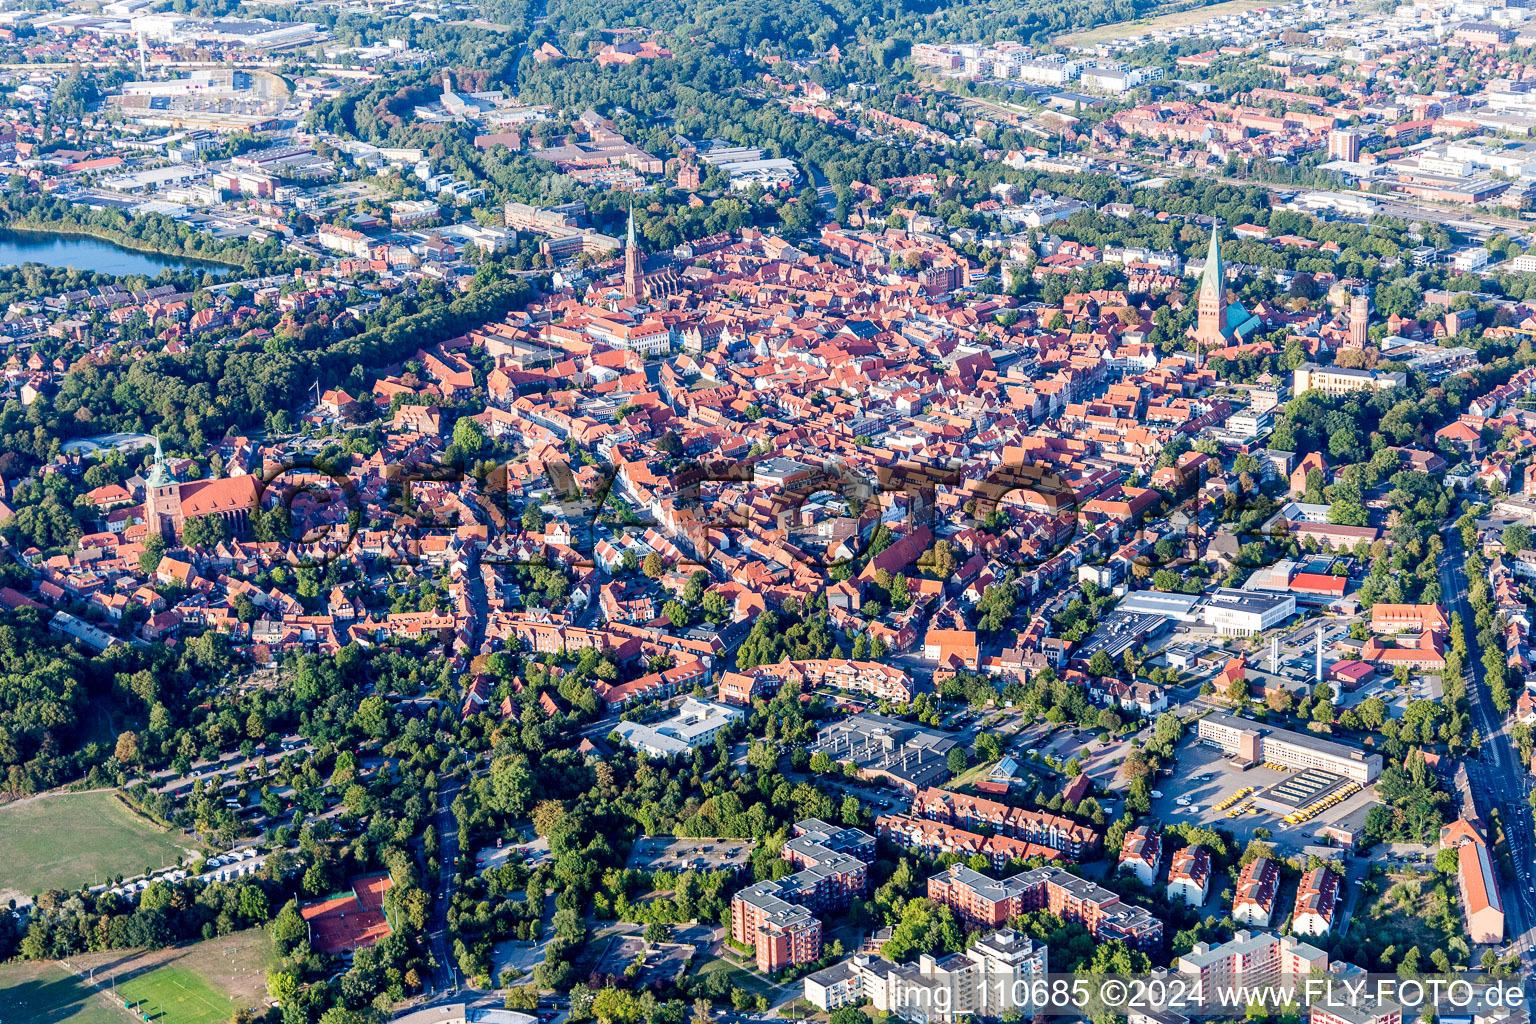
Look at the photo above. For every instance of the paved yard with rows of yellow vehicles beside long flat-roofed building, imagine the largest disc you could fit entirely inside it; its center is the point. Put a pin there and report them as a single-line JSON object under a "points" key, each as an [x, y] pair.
{"points": [[1190, 782]]}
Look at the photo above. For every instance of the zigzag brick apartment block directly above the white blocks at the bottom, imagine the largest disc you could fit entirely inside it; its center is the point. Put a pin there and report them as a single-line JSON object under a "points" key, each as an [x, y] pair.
{"points": [[985, 900]]}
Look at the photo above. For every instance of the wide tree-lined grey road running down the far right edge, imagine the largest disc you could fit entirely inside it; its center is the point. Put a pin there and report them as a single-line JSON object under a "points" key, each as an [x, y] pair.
{"points": [[1498, 773]]}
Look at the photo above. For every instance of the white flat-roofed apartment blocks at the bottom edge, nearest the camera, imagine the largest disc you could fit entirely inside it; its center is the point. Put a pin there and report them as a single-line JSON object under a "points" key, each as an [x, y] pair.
{"points": [[991, 979]]}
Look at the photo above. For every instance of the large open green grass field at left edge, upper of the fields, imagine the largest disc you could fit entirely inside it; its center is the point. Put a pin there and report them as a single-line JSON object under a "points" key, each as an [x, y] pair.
{"points": [[76, 839]]}
